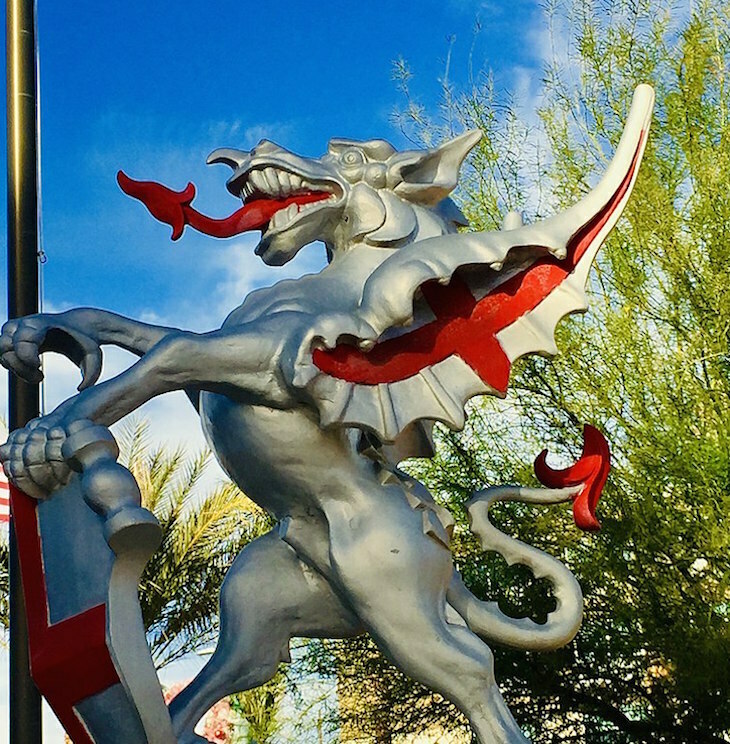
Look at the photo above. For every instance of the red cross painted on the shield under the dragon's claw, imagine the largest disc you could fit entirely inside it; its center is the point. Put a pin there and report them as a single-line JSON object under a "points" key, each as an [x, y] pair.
{"points": [[69, 660]]}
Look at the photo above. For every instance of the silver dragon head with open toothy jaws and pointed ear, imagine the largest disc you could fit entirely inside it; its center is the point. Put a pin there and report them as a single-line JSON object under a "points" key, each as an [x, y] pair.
{"points": [[357, 192]]}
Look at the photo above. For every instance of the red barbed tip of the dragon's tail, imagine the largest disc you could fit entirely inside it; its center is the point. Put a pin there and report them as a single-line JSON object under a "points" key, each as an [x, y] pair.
{"points": [[591, 471]]}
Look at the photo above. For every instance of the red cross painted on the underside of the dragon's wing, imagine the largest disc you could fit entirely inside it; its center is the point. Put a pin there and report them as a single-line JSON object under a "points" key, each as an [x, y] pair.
{"points": [[463, 326]]}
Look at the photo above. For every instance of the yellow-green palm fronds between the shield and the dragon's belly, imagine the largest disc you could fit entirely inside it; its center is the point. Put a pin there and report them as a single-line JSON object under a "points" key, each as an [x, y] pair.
{"points": [[202, 534]]}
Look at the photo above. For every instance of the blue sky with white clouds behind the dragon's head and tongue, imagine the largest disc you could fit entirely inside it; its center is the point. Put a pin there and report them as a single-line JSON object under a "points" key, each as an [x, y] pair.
{"points": [[152, 88]]}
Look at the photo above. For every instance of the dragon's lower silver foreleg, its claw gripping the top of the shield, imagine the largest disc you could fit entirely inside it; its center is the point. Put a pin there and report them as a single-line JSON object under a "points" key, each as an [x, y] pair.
{"points": [[242, 363]]}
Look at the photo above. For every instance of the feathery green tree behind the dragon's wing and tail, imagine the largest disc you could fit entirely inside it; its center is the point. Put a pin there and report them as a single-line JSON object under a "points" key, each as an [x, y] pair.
{"points": [[649, 365]]}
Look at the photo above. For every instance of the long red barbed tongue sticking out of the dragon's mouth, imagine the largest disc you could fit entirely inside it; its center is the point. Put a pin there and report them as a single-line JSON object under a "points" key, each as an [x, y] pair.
{"points": [[174, 209]]}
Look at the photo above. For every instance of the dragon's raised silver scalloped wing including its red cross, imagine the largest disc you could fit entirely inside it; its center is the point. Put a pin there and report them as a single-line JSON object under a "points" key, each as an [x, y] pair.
{"points": [[443, 319]]}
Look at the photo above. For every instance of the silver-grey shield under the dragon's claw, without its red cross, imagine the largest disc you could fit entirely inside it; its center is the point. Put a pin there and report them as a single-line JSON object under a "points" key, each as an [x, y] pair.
{"points": [[96, 541]]}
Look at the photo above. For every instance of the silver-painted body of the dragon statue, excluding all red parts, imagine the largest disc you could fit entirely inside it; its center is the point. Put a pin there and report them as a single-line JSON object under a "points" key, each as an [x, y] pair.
{"points": [[360, 546]]}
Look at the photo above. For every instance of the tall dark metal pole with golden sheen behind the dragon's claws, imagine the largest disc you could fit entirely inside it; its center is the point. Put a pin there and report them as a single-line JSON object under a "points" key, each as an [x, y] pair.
{"points": [[25, 702]]}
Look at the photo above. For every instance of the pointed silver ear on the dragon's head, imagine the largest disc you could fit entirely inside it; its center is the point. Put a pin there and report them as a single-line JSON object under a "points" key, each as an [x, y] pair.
{"points": [[428, 176]]}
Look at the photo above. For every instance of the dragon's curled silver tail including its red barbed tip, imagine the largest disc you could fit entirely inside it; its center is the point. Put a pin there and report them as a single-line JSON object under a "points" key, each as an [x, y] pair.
{"points": [[582, 483]]}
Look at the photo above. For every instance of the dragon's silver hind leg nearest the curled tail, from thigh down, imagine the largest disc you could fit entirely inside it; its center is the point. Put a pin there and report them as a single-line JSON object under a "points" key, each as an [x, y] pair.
{"points": [[395, 577]]}
